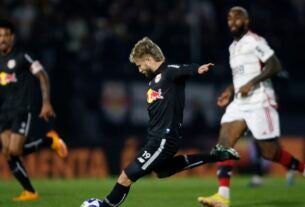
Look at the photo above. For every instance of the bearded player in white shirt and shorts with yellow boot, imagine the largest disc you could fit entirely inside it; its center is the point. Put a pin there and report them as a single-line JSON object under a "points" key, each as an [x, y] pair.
{"points": [[253, 63]]}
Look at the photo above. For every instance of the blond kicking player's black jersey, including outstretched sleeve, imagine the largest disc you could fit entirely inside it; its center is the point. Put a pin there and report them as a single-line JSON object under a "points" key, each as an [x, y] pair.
{"points": [[165, 99]]}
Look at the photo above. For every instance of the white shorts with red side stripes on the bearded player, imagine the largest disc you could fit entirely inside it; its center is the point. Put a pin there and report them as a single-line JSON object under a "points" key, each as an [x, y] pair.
{"points": [[262, 122]]}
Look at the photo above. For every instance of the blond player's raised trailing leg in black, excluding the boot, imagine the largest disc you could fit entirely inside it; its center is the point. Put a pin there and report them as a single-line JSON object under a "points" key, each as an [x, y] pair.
{"points": [[184, 162]]}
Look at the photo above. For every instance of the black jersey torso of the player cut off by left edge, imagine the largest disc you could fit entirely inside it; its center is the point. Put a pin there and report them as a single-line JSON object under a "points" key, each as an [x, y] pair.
{"points": [[16, 82]]}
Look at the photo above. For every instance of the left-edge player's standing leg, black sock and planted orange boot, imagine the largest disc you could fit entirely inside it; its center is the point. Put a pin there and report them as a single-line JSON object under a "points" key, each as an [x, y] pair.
{"points": [[17, 168]]}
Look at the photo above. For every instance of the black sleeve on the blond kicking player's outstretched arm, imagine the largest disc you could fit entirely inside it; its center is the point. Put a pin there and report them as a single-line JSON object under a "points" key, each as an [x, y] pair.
{"points": [[182, 71]]}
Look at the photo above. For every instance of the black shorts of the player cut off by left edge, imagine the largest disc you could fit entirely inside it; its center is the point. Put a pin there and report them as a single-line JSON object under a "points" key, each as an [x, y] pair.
{"points": [[18, 122]]}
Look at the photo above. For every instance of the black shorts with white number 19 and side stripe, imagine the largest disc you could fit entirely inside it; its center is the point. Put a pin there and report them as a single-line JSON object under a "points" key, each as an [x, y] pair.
{"points": [[152, 157]]}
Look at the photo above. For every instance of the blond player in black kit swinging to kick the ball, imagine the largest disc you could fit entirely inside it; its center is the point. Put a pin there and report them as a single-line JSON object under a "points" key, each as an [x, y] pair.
{"points": [[165, 99]]}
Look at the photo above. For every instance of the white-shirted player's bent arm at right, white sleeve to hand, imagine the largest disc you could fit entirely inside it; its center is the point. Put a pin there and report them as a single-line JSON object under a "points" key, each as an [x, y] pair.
{"points": [[272, 66]]}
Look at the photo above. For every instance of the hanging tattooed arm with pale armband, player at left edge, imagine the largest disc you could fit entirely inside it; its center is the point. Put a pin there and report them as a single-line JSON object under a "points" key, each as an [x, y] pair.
{"points": [[38, 71]]}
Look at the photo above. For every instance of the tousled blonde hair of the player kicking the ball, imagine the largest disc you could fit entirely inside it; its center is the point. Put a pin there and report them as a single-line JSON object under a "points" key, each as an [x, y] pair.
{"points": [[146, 46]]}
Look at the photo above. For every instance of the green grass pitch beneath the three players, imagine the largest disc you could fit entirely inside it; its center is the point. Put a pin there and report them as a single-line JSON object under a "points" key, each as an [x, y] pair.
{"points": [[150, 192]]}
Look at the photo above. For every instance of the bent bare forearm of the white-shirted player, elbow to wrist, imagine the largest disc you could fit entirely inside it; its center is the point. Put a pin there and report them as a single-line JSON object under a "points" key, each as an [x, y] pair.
{"points": [[272, 67]]}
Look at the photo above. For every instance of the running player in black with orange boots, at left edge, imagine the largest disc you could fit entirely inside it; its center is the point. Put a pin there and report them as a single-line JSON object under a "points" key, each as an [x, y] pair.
{"points": [[17, 73]]}
